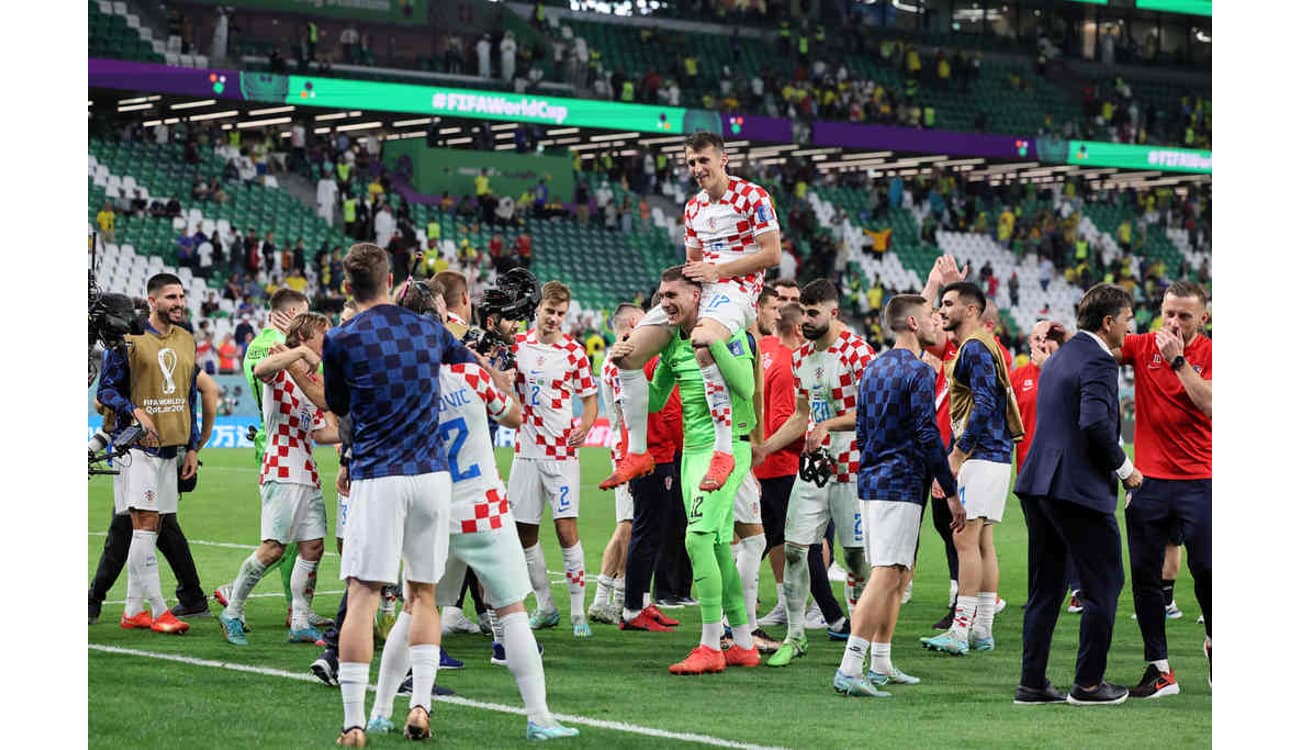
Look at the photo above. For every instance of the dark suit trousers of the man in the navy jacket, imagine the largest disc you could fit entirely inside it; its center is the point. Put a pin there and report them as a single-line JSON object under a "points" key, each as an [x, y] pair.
{"points": [[1059, 528]]}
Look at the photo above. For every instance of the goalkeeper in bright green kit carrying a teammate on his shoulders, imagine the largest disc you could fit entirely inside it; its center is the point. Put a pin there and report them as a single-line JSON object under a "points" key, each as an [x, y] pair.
{"points": [[709, 514]]}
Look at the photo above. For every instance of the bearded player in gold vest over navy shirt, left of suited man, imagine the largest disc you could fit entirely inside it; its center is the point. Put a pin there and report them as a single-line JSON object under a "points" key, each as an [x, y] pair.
{"points": [[986, 423]]}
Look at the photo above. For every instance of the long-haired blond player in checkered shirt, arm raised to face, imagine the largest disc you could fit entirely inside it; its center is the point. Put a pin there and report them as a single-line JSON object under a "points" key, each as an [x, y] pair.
{"points": [[293, 508]]}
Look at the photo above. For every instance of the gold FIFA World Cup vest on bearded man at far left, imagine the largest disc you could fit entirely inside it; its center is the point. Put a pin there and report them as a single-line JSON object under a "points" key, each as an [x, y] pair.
{"points": [[162, 372]]}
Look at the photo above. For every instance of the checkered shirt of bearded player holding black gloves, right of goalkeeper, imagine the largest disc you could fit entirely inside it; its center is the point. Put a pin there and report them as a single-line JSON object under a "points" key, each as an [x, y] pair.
{"points": [[829, 380]]}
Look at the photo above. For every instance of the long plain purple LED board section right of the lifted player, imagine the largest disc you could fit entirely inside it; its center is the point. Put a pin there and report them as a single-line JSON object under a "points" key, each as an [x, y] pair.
{"points": [[951, 142]]}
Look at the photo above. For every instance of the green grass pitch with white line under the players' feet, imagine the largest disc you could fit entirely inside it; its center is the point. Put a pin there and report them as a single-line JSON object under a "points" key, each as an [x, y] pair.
{"points": [[137, 701]]}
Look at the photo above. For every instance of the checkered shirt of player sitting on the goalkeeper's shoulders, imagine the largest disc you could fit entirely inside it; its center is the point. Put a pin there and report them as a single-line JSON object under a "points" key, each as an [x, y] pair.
{"points": [[729, 229]]}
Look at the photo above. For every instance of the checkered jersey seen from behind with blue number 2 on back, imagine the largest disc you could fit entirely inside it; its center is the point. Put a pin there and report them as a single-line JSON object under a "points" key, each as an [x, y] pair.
{"points": [[467, 398]]}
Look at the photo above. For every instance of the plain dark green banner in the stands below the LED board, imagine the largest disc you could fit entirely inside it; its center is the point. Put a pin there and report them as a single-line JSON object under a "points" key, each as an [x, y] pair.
{"points": [[434, 171]]}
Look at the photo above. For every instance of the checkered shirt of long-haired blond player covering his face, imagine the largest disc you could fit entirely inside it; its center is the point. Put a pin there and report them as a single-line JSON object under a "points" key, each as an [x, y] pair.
{"points": [[289, 419]]}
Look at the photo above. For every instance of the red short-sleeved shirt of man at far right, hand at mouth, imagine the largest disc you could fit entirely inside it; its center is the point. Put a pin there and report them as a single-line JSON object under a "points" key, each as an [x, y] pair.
{"points": [[1173, 437]]}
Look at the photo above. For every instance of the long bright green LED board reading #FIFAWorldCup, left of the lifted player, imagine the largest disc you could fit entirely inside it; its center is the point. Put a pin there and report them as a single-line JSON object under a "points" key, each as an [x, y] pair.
{"points": [[417, 99]]}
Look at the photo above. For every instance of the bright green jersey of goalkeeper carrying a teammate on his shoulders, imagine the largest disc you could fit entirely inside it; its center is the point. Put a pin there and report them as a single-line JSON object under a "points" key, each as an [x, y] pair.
{"points": [[678, 367]]}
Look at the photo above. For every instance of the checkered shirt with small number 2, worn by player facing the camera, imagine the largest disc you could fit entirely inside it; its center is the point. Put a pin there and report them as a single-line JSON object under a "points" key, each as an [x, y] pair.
{"points": [[547, 381]]}
